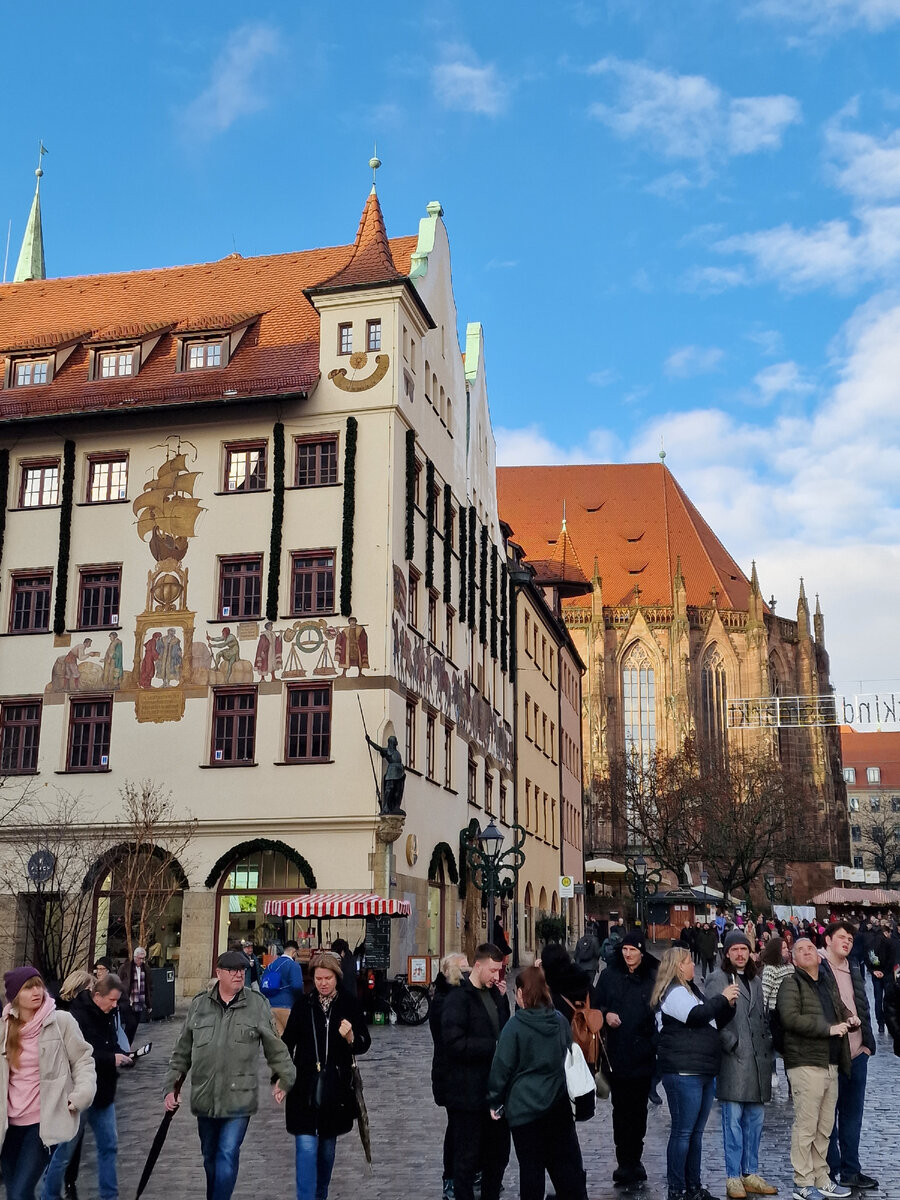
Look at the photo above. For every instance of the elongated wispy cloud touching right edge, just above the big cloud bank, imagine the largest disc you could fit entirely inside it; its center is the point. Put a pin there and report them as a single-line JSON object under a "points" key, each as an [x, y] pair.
{"points": [[835, 254]]}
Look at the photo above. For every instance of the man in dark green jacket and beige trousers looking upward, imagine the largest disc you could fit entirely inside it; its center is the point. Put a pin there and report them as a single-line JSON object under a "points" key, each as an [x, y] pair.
{"points": [[815, 1024]]}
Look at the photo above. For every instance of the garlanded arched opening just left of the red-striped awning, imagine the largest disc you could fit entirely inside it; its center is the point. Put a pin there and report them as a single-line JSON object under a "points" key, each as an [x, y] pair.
{"points": [[245, 879]]}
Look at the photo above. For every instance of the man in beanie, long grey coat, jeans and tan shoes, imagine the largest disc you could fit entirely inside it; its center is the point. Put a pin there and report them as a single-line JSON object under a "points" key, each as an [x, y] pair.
{"points": [[743, 1085]]}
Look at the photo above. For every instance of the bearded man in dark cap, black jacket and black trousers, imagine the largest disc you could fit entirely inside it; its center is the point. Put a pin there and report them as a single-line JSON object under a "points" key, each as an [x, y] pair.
{"points": [[623, 997]]}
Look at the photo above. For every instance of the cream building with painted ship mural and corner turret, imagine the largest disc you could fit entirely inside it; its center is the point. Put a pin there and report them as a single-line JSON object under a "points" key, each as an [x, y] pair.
{"points": [[249, 507]]}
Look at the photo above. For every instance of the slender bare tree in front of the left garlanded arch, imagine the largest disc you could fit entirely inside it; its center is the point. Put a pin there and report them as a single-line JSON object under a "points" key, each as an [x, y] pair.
{"points": [[149, 862]]}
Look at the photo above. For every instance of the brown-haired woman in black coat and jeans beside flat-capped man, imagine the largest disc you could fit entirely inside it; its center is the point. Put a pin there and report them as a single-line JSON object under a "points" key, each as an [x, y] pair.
{"points": [[325, 1031]]}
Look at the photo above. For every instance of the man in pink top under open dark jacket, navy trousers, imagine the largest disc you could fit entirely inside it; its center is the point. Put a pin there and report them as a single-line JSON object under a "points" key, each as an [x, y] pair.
{"points": [[844, 1148]]}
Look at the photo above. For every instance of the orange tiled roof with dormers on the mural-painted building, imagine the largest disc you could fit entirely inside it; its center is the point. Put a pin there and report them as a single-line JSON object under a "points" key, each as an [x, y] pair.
{"points": [[279, 355]]}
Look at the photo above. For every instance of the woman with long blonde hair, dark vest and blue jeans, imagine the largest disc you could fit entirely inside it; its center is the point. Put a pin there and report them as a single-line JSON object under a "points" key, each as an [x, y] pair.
{"points": [[689, 1057]]}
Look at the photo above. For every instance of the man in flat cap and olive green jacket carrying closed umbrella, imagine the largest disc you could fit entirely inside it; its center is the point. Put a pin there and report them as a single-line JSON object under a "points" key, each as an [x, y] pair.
{"points": [[220, 1043]]}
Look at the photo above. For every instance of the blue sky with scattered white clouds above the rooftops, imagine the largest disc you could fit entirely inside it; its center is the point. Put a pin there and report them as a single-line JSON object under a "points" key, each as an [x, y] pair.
{"points": [[676, 219]]}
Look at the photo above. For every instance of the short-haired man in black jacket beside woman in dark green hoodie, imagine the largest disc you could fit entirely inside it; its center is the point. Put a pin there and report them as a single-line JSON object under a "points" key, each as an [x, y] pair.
{"points": [[475, 1015]]}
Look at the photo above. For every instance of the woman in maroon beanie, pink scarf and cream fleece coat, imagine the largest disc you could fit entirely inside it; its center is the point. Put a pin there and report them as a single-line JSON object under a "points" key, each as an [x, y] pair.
{"points": [[47, 1077]]}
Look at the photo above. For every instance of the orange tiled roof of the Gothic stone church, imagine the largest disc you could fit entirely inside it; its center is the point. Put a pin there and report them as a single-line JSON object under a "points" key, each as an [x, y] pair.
{"points": [[634, 518]]}
